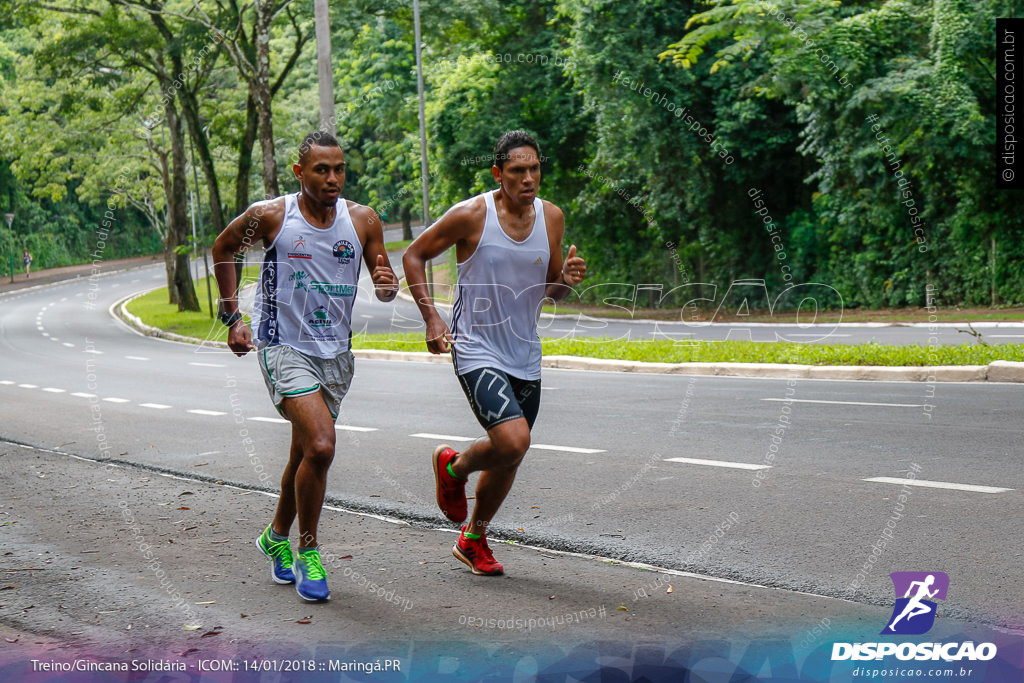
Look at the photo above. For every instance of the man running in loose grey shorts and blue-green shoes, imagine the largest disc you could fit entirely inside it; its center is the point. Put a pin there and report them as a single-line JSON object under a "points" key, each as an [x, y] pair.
{"points": [[317, 243]]}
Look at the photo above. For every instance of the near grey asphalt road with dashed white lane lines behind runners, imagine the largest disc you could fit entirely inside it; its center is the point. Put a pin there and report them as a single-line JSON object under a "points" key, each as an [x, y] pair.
{"points": [[602, 478]]}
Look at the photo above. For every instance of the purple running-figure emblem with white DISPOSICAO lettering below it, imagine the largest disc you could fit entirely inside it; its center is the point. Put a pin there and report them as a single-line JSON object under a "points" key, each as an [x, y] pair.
{"points": [[914, 615]]}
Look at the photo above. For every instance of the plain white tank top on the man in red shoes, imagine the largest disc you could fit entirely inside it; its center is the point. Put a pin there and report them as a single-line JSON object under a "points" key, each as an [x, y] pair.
{"points": [[501, 287]]}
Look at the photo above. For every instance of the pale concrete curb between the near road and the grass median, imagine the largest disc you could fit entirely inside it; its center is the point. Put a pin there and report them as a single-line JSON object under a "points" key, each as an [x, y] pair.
{"points": [[998, 371]]}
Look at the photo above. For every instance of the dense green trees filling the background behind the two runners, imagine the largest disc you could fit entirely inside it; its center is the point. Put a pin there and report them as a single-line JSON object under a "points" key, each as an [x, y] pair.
{"points": [[807, 141]]}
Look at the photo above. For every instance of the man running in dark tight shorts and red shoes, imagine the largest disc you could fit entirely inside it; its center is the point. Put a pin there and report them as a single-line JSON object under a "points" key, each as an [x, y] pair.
{"points": [[509, 250]]}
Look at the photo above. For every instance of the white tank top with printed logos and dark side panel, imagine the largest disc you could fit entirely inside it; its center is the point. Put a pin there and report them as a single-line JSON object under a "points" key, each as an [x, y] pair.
{"points": [[308, 284]]}
